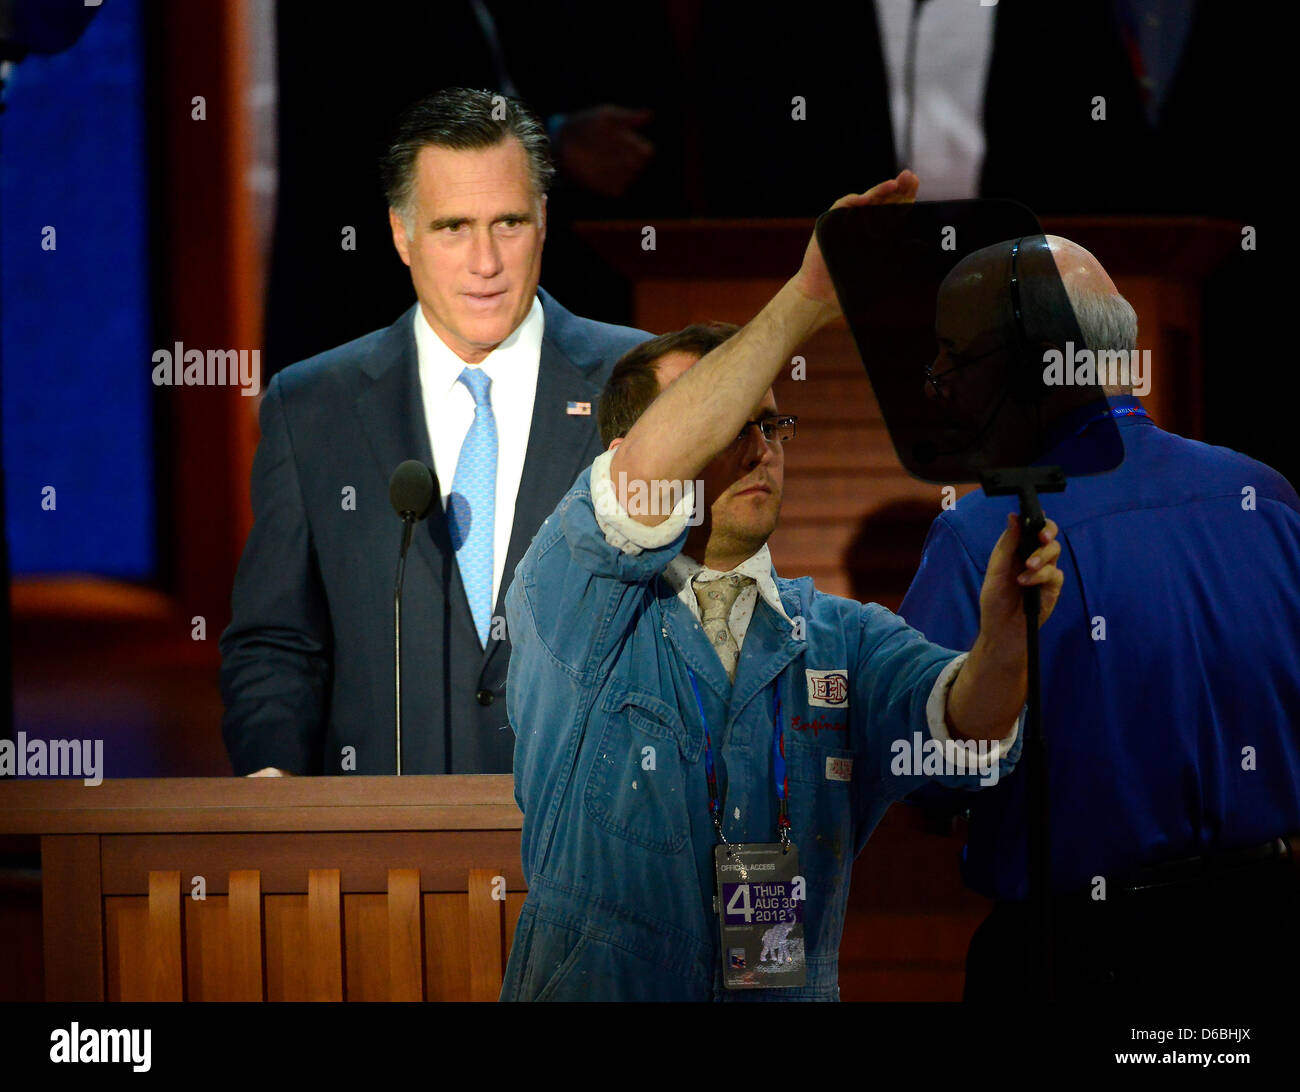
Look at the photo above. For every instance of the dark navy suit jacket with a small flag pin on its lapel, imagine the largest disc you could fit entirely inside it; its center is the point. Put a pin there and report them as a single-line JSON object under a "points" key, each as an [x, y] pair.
{"points": [[307, 661]]}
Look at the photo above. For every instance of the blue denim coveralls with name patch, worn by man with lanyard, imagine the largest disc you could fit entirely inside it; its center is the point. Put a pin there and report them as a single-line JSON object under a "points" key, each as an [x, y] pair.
{"points": [[618, 856]]}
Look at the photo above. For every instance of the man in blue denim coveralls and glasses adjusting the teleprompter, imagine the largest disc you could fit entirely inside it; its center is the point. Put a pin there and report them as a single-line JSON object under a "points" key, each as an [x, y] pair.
{"points": [[673, 697]]}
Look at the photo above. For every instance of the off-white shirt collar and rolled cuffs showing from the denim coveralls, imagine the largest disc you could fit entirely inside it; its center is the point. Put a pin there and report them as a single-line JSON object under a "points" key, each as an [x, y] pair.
{"points": [[632, 538]]}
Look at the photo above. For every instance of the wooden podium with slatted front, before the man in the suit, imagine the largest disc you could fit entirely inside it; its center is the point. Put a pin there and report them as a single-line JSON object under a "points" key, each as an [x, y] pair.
{"points": [[314, 889]]}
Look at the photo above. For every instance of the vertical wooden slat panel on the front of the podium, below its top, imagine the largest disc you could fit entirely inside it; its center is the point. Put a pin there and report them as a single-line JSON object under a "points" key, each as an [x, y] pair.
{"points": [[396, 946]]}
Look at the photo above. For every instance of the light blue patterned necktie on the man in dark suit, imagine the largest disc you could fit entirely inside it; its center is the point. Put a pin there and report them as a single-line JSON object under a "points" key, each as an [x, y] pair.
{"points": [[473, 505]]}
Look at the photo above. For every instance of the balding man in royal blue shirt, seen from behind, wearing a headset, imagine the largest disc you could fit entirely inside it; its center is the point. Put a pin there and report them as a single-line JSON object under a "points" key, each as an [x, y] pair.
{"points": [[1171, 691]]}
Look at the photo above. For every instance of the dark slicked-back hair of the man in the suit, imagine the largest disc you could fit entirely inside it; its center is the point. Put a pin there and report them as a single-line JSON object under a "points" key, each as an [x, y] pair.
{"points": [[465, 120]]}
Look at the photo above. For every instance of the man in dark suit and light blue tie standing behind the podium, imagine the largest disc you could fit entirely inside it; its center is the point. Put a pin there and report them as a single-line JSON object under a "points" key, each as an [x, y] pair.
{"points": [[489, 382]]}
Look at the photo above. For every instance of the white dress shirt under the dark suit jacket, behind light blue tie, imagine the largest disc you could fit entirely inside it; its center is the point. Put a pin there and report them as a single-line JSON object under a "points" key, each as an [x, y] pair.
{"points": [[449, 411]]}
